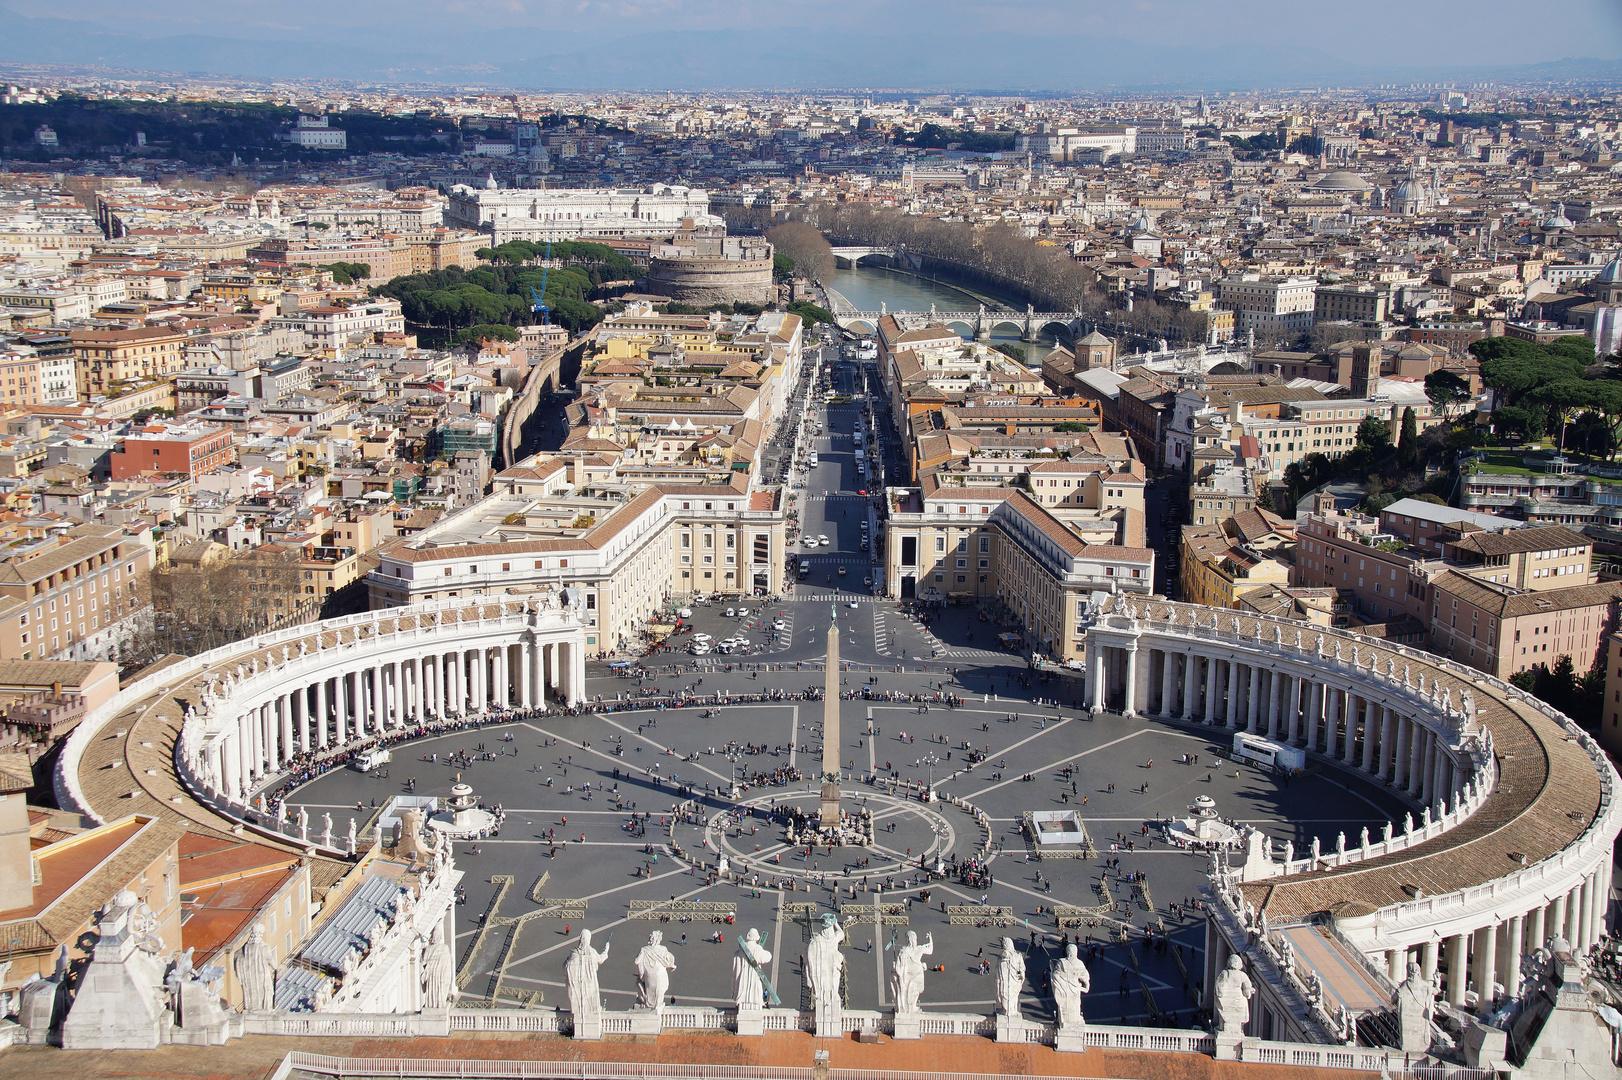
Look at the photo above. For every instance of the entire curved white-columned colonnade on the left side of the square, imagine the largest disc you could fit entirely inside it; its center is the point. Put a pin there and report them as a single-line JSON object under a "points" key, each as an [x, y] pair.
{"points": [[230, 724]]}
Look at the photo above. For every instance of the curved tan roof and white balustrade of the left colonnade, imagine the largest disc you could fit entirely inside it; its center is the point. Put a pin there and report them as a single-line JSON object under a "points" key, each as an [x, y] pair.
{"points": [[122, 758]]}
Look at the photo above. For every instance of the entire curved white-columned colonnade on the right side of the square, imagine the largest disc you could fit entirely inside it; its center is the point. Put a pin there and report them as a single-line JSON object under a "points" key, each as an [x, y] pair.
{"points": [[1514, 807]]}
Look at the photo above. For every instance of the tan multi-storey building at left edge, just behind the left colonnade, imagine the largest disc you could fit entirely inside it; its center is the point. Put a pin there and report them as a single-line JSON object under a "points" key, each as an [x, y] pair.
{"points": [[74, 594]]}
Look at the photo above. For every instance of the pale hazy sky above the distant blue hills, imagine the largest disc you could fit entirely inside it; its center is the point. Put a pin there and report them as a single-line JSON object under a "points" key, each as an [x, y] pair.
{"points": [[1417, 33]]}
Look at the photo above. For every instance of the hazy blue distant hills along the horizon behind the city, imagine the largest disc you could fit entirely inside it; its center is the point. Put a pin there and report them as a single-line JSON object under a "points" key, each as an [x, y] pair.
{"points": [[726, 59]]}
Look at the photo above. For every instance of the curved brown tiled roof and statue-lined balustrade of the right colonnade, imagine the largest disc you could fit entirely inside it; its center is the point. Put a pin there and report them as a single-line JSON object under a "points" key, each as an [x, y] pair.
{"points": [[1555, 787]]}
